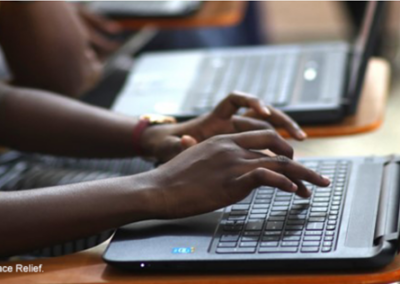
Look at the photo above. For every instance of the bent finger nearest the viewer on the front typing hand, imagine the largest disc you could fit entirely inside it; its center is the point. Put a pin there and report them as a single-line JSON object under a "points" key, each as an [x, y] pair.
{"points": [[261, 176]]}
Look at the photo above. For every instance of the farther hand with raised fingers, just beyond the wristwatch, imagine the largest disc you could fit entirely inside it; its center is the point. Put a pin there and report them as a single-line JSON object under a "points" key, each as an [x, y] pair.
{"points": [[166, 141]]}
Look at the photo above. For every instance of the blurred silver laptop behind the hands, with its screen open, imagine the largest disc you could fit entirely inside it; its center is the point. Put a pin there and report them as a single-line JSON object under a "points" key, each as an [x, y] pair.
{"points": [[313, 83]]}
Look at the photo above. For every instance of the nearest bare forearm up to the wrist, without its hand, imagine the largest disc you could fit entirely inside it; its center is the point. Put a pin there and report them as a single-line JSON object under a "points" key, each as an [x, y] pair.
{"points": [[37, 218]]}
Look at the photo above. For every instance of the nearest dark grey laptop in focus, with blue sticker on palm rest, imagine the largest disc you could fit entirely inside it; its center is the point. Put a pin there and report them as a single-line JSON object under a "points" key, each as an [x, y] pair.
{"points": [[352, 224]]}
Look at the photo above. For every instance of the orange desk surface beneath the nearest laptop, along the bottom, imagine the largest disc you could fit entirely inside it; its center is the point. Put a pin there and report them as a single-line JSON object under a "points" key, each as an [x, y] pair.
{"points": [[87, 267]]}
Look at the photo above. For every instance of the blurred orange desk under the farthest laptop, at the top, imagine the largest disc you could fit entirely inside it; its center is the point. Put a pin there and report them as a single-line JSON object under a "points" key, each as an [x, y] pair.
{"points": [[212, 13]]}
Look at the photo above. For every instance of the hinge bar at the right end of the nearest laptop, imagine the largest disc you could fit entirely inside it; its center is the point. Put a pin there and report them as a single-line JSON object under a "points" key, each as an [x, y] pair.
{"points": [[387, 225]]}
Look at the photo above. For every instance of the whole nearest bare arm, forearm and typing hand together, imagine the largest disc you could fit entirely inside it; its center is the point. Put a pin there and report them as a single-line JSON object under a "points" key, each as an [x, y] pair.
{"points": [[176, 189]]}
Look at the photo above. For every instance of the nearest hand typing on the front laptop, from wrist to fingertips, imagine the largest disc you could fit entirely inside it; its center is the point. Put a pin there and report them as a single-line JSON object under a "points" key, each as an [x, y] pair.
{"points": [[225, 169]]}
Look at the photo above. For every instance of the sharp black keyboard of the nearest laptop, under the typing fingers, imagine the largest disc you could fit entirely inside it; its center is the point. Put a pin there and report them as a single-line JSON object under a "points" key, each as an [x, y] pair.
{"points": [[273, 221]]}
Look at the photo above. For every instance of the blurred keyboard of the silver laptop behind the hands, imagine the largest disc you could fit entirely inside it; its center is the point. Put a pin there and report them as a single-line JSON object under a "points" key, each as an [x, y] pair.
{"points": [[269, 77]]}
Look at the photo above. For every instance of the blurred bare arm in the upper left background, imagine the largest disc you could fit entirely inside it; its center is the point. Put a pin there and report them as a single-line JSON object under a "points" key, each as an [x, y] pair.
{"points": [[46, 47]]}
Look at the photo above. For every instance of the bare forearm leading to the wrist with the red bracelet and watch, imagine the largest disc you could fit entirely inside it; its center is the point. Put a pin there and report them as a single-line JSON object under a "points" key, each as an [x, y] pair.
{"points": [[37, 121]]}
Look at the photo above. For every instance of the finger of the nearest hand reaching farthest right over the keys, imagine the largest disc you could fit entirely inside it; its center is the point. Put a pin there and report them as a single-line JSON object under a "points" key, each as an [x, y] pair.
{"points": [[289, 168]]}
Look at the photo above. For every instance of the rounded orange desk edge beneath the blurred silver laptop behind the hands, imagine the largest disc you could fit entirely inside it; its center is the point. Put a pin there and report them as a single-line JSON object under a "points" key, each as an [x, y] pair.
{"points": [[371, 108]]}
